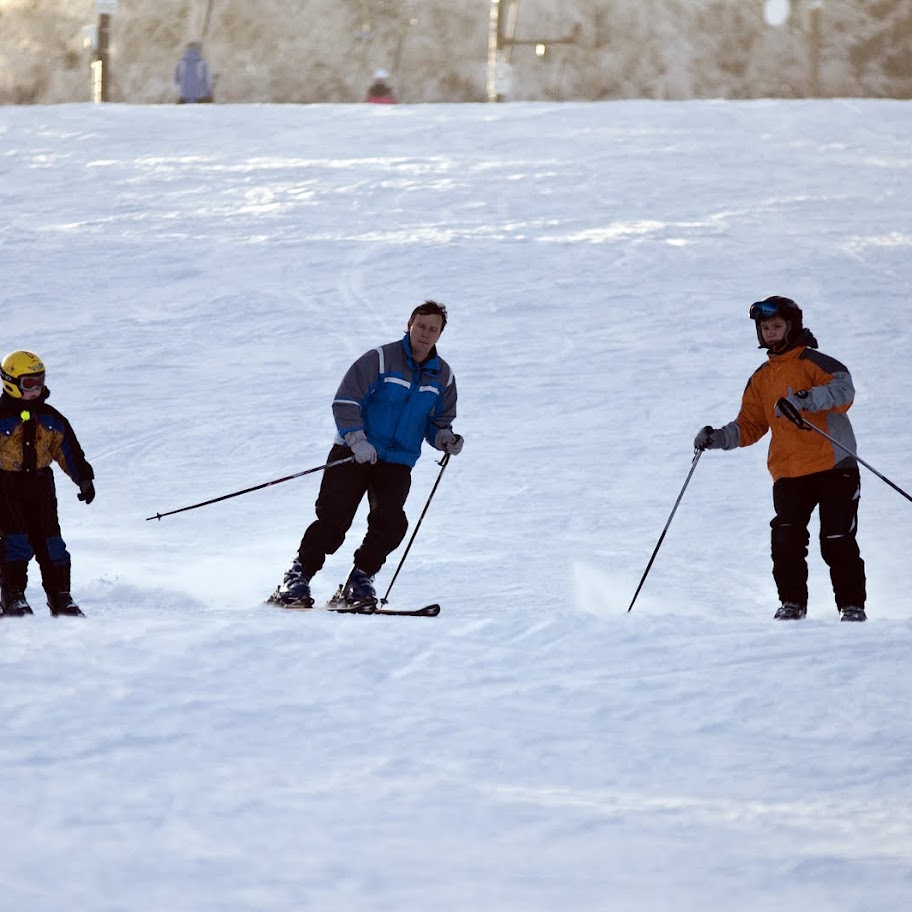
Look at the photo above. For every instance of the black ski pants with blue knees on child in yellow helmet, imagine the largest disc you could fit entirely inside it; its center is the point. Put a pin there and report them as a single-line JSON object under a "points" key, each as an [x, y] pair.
{"points": [[29, 527]]}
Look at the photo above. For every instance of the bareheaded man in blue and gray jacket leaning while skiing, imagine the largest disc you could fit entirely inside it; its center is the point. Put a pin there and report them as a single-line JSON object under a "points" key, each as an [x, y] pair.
{"points": [[391, 400]]}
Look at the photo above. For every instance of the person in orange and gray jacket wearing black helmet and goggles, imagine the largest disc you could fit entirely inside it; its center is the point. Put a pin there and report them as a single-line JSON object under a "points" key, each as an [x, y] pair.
{"points": [[808, 470]]}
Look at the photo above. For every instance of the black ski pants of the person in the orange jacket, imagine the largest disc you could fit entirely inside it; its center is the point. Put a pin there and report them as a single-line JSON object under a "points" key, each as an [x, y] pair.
{"points": [[835, 493]]}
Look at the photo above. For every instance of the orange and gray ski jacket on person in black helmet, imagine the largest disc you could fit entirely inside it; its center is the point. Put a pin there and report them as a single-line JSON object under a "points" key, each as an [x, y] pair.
{"points": [[827, 393]]}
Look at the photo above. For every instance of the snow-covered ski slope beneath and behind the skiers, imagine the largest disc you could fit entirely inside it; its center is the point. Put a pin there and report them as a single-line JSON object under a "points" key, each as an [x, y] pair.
{"points": [[197, 280]]}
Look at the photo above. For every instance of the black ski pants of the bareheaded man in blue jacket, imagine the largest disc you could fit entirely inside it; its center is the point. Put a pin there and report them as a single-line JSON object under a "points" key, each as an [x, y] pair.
{"points": [[341, 491]]}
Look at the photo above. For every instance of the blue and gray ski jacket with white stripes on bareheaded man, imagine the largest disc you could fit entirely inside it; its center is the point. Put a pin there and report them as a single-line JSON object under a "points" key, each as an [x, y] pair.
{"points": [[396, 401]]}
